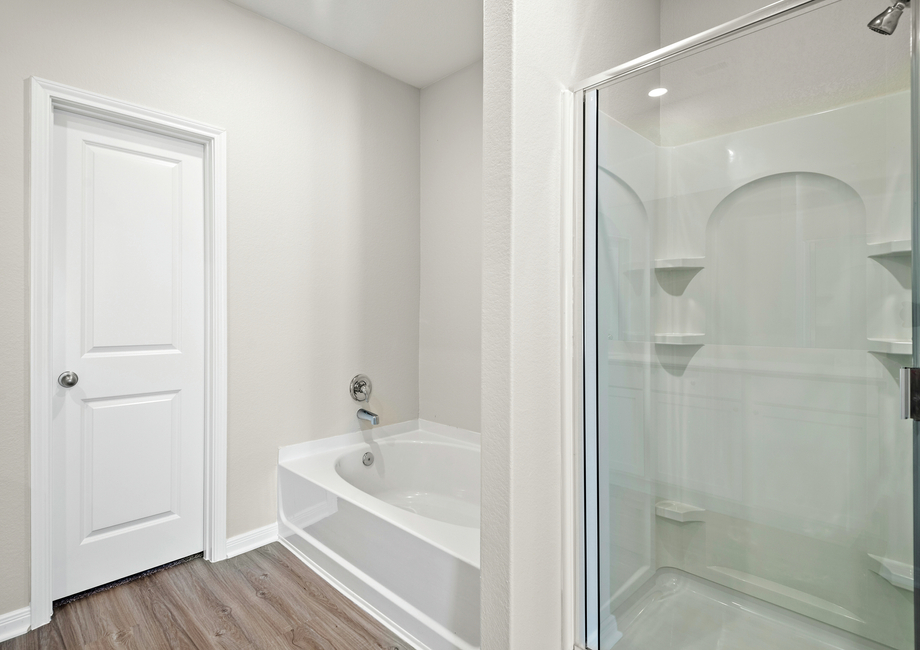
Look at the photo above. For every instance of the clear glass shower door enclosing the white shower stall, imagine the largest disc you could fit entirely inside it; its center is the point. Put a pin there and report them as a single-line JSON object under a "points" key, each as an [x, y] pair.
{"points": [[748, 307]]}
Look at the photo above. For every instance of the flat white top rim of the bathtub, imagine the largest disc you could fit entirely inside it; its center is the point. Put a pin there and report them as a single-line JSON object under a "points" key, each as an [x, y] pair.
{"points": [[316, 463]]}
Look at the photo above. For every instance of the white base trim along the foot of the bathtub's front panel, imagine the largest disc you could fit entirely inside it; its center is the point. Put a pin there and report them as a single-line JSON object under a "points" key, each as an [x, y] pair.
{"points": [[400, 602]]}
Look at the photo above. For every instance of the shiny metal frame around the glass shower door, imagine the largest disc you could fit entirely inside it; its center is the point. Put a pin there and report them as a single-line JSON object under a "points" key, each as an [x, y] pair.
{"points": [[590, 464]]}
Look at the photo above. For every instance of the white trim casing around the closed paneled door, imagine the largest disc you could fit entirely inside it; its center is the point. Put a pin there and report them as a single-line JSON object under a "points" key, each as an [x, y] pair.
{"points": [[45, 98]]}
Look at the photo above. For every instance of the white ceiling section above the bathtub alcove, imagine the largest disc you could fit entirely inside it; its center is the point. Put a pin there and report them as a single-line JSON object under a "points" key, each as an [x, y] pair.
{"points": [[416, 41]]}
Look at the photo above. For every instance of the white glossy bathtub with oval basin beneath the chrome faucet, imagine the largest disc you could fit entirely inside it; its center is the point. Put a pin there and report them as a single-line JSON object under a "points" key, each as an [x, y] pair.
{"points": [[401, 536]]}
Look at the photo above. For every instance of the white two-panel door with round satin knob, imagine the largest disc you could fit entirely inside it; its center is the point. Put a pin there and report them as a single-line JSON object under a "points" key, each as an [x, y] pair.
{"points": [[128, 437]]}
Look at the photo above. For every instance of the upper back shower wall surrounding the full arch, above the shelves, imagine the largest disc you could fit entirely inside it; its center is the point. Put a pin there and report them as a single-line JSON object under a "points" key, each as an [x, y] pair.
{"points": [[876, 164]]}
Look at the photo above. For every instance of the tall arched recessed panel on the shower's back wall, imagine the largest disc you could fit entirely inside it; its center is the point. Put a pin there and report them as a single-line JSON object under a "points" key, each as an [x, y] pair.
{"points": [[786, 265]]}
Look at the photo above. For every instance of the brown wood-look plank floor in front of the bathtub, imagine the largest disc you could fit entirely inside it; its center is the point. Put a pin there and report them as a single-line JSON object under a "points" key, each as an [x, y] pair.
{"points": [[263, 599]]}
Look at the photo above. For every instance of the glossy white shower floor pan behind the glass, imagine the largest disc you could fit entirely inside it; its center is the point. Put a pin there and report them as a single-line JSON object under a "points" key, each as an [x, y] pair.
{"points": [[678, 611]]}
